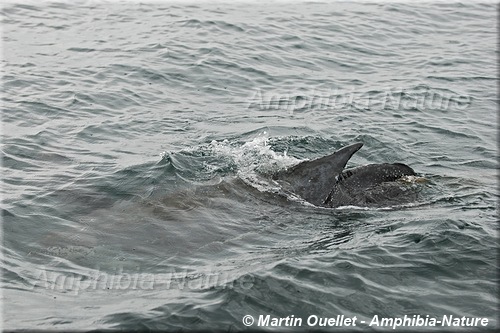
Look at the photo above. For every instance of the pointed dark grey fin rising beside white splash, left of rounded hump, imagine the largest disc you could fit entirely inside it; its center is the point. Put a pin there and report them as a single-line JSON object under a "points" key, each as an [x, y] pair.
{"points": [[313, 180]]}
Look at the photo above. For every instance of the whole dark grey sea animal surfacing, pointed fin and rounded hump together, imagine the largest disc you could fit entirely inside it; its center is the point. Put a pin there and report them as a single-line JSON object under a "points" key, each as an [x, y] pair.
{"points": [[324, 182]]}
